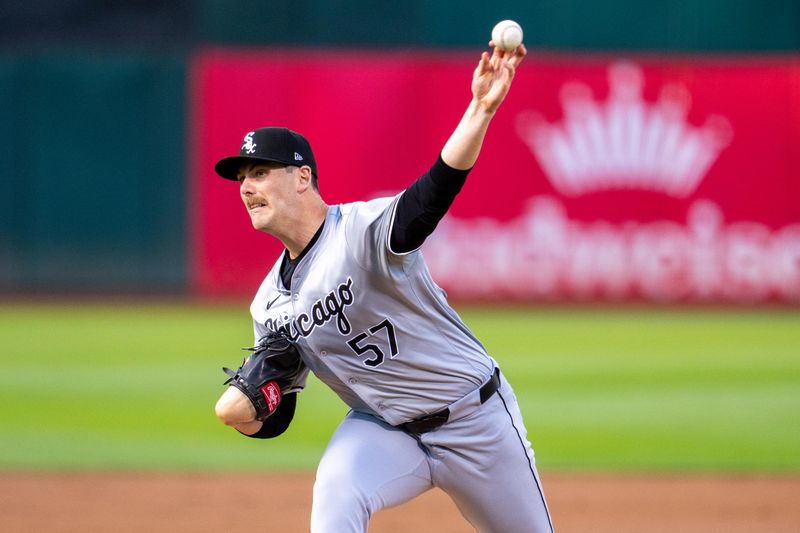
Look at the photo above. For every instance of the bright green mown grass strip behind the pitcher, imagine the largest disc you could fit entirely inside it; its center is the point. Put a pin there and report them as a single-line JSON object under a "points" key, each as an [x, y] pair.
{"points": [[132, 386]]}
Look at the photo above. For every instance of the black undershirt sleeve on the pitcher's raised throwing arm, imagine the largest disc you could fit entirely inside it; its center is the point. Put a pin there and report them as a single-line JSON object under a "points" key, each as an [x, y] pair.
{"points": [[423, 204]]}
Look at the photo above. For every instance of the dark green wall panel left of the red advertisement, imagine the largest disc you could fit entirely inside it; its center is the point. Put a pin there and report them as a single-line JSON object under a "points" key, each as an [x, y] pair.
{"points": [[92, 164]]}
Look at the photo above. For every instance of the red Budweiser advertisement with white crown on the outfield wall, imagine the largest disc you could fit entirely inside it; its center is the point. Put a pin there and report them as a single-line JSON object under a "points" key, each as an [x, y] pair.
{"points": [[663, 179]]}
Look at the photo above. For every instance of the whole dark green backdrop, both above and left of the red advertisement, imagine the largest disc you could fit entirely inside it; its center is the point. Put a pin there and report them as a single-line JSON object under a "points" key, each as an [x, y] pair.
{"points": [[92, 136]]}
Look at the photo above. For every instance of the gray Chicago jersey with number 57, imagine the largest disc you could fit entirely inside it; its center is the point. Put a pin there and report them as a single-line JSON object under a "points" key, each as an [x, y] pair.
{"points": [[370, 323]]}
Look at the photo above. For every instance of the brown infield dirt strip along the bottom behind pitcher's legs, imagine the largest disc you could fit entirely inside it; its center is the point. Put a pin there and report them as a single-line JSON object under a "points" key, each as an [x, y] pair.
{"points": [[169, 502]]}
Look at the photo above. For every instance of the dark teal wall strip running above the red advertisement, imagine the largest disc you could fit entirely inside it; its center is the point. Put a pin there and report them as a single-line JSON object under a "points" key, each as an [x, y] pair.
{"points": [[687, 25]]}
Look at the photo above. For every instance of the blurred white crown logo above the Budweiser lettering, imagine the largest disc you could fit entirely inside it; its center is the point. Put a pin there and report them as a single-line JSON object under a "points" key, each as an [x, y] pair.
{"points": [[626, 142]]}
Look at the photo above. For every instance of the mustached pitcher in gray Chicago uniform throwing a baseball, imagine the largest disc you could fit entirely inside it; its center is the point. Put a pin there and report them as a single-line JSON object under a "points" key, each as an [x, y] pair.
{"points": [[351, 299]]}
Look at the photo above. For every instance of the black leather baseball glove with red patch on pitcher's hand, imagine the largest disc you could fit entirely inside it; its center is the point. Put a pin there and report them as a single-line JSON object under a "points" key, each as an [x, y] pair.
{"points": [[267, 372]]}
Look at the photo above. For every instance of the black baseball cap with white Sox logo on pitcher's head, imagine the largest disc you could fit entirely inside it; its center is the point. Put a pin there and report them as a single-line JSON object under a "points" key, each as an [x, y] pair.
{"points": [[277, 145]]}
